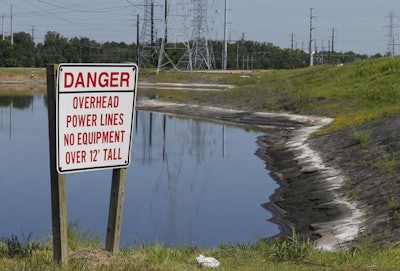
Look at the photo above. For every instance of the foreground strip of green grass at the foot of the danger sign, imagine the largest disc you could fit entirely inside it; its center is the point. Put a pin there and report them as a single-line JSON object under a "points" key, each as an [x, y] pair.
{"points": [[291, 253]]}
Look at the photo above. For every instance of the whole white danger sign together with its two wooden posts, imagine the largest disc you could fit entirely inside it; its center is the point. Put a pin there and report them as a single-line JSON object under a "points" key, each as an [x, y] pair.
{"points": [[91, 115]]}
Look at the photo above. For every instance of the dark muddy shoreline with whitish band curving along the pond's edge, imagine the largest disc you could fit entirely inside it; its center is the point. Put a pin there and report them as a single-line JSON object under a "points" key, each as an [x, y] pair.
{"points": [[309, 198]]}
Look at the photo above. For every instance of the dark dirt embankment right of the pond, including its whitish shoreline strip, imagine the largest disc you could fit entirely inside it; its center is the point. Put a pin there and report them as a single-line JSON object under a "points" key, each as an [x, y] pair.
{"points": [[336, 186]]}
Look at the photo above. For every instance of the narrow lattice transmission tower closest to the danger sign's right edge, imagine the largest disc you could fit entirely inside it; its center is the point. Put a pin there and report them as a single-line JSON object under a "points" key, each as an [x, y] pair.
{"points": [[148, 46]]}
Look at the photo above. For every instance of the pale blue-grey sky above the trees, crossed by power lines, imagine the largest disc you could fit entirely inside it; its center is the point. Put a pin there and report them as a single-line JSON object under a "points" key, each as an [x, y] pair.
{"points": [[362, 26]]}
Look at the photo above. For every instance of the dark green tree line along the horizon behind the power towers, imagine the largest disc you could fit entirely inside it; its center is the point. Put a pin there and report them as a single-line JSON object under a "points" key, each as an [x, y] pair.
{"points": [[242, 54]]}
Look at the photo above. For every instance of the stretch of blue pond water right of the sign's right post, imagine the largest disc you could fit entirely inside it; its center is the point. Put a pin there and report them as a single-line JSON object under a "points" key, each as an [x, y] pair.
{"points": [[208, 184]]}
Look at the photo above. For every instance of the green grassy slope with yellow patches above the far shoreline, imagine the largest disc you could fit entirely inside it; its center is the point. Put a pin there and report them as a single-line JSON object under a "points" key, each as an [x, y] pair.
{"points": [[352, 94]]}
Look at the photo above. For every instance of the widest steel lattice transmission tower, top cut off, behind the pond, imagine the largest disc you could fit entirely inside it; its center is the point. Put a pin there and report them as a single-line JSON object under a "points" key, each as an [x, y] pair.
{"points": [[201, 50]]}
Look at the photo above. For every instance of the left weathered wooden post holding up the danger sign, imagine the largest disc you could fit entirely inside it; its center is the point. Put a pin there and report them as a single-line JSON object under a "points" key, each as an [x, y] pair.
{"points": [[57, 181]]}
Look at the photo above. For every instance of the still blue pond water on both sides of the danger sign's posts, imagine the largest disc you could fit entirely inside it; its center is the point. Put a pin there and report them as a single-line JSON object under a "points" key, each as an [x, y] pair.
{"points": [[190, 182]]}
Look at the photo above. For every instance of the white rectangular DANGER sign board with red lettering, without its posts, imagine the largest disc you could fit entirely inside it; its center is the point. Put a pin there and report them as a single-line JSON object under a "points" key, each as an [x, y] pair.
{"points": [[95, 106]]}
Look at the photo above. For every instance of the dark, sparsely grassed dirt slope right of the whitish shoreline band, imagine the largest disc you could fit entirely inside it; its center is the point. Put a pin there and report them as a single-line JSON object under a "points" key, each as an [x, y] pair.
{"points": [[369, 158]]}
